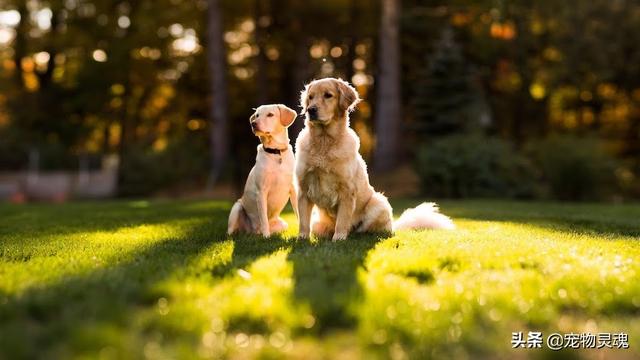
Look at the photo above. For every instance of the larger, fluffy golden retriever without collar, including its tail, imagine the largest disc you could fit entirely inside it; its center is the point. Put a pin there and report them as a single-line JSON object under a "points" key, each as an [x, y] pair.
{"points": [[332, 175]]}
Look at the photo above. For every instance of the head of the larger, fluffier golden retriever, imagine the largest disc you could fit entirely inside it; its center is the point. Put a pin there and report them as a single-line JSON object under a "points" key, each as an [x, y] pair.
{"points": [[327, 99]]}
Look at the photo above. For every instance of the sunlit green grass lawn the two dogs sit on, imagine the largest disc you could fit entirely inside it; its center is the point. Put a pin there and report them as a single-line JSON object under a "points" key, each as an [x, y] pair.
{"points": [[161, 280]]}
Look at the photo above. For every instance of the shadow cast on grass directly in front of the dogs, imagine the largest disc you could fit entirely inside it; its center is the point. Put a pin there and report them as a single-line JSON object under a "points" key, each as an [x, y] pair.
{"points": [[325, 273]]}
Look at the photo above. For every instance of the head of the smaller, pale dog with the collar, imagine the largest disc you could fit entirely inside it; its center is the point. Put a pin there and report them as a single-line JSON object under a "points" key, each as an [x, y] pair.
{"points": [[271, 120]]}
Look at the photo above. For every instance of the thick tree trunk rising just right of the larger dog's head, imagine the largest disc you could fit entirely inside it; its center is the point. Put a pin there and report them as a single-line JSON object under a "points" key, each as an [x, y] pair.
{"points": [[388, 106]]}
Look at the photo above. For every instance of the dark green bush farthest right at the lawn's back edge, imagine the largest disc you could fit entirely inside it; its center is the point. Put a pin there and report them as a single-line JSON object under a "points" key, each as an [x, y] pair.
{"points": [[576, 168]]}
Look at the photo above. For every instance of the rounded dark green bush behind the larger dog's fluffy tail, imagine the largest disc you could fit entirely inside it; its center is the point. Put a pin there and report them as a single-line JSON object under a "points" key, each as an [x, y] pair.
{"points": [[474, 166]]}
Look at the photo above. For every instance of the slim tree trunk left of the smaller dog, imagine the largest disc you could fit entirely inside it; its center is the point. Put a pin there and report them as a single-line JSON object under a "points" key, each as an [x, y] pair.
{"points": [[216, 61]]}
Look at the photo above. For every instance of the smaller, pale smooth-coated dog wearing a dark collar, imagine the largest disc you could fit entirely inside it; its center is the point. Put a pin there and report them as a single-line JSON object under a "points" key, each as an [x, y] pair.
{"points": [[270, 183]]}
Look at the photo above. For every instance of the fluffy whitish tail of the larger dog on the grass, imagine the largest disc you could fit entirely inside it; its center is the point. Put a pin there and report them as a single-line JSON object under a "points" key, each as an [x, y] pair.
{"points": [[424, 216]]}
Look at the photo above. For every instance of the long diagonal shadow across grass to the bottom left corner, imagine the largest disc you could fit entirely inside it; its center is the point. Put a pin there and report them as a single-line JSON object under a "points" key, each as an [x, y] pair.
{"points": [[49, 321]]}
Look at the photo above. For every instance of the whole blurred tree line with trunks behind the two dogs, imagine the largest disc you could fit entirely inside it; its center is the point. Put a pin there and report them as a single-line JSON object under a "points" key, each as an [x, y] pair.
{"points": [[168, 85]]}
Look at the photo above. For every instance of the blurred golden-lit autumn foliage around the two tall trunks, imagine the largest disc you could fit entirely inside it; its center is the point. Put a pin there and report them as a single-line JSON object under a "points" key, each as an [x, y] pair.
{"points": [[531, 75]]}
